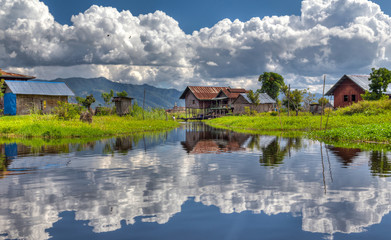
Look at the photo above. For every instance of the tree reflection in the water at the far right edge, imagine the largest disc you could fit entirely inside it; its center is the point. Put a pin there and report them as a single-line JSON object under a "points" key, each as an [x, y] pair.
{"points": [[380, 164]]}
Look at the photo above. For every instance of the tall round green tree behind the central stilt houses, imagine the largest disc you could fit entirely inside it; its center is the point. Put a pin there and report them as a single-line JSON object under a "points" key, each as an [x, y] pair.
{"points": [[271, 83]]}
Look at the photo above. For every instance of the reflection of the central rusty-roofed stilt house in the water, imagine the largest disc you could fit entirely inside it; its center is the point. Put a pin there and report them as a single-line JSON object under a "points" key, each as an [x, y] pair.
{"points": [[205, 139]]}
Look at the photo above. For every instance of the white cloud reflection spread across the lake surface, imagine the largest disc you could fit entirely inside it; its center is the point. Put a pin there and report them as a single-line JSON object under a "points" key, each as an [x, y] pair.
{"points": [[107, 189]]}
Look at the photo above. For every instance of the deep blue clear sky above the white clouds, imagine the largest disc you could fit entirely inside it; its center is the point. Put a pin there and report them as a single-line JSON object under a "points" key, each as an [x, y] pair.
{"points": [[191, 15]]}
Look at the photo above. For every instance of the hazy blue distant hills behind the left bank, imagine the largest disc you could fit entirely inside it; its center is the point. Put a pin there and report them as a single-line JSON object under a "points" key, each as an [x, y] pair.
{"points": [[154, 97]]}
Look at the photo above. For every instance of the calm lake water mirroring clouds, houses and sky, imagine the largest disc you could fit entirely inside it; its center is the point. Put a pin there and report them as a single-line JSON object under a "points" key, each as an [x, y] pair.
{"points": [[194, 182]]}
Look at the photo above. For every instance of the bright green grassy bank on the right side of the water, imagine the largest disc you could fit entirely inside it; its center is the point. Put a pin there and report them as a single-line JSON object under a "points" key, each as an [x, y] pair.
{"points": [[362, 122]]}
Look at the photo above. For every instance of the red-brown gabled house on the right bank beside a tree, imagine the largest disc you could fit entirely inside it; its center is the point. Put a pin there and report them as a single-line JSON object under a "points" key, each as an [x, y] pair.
{"points": [[348, 90]]}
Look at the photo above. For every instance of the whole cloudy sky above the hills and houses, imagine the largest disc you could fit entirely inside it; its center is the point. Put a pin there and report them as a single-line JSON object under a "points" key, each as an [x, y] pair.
{"points": [[175, 43]]}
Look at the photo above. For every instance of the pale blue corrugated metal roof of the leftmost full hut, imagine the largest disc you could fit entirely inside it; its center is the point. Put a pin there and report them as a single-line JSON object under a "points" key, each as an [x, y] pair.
{"points": [[39, 88]]}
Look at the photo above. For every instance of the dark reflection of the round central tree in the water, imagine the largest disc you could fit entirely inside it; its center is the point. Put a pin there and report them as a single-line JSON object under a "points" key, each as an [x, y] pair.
{"points": [[274, 153]]}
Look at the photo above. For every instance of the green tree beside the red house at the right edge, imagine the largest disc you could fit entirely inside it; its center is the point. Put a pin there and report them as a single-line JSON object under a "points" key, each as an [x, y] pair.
{"points": [[379, 80]]}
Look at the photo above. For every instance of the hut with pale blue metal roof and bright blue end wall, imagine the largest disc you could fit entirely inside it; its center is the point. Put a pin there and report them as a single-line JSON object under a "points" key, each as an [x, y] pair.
{"points": [[22, 97]]}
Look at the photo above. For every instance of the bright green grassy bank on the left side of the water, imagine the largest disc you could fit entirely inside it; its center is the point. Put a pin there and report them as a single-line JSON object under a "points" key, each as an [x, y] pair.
{"points": [[48, 126]]}
